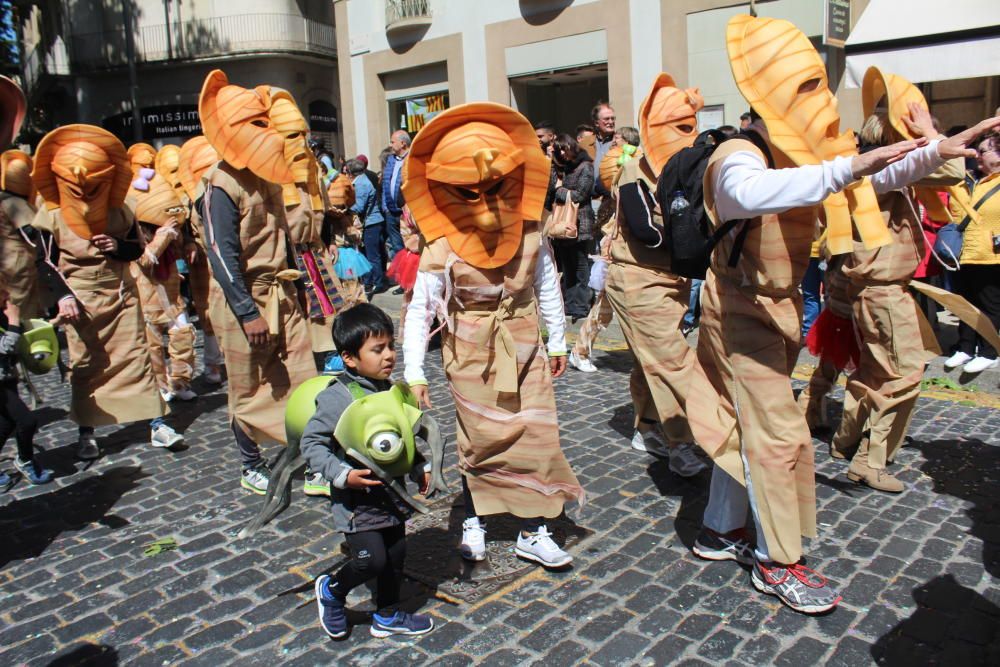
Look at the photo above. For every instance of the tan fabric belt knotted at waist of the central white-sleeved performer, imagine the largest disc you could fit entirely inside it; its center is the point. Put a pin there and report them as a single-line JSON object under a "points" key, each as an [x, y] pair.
{"points": [[491, 327]]}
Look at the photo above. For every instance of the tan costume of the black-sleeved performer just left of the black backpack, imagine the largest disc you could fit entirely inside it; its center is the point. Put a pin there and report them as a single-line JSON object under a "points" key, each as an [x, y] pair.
{"points": [[650, 303]]}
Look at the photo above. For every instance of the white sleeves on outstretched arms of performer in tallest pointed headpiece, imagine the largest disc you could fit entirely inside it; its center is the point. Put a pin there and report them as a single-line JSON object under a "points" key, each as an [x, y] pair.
{"points": [[745, 188]]}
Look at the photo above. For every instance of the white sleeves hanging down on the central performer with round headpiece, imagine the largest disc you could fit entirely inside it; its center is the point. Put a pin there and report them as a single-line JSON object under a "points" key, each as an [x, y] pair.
{"points": [[429, 289]]}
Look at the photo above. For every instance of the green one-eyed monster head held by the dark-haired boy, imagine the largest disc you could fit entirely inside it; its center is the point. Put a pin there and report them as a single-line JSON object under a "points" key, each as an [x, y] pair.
{"points": [[380, 428]]}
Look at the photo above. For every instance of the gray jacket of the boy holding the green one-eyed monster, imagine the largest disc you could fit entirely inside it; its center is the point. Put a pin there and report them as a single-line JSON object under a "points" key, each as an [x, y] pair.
{"points": [[353, 510]]}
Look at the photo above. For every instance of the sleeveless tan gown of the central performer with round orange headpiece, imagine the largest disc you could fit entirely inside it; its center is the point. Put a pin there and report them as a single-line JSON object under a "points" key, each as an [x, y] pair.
{"points": [[508, 441]]}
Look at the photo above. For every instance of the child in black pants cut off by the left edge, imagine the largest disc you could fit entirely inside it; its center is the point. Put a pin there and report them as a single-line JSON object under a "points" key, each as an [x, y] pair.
{"points": [[15, 417]]}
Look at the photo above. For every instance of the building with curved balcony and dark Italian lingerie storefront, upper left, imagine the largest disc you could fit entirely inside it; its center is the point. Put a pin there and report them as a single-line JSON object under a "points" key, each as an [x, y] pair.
{"points": [[78, 58]]}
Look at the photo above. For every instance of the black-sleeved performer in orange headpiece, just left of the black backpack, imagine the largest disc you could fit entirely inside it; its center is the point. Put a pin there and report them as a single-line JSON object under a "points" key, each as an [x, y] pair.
{"points": [[648, 299]]}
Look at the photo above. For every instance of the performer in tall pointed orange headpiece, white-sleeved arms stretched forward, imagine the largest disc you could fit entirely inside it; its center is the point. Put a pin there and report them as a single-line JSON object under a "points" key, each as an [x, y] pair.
{"points": [[741, 406]]}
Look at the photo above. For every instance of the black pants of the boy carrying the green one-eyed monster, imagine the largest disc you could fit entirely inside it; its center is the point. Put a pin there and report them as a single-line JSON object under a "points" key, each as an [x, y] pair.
{"points": [[375, 554]]}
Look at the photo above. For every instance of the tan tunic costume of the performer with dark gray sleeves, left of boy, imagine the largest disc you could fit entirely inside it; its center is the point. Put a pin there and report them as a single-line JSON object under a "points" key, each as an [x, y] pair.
{"points": [[261, 379]]}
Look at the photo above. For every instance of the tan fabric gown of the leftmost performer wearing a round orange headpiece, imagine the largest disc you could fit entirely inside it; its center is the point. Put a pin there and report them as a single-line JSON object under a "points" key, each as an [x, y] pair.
{"points": [[111, 376]]}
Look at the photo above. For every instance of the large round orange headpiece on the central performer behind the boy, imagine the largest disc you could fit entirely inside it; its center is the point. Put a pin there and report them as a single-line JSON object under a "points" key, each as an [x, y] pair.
{"points": [[474, 174]]}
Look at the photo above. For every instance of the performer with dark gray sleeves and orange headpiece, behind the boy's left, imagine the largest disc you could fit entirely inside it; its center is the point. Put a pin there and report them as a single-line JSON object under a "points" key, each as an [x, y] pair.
{"points": [[259, 322]]}
